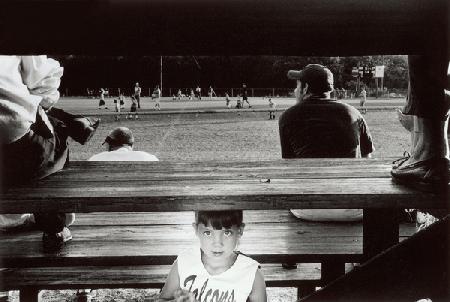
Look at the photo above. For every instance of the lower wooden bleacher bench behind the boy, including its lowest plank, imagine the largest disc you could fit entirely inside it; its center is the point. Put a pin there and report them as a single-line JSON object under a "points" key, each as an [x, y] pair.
{"points": [[132, 264]]}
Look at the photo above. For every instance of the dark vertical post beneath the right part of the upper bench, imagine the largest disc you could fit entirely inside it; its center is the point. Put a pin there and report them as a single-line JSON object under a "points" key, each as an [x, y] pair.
{"points": [[380, 231]]}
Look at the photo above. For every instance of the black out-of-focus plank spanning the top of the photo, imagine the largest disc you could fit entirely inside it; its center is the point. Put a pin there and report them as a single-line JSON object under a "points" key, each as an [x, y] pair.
{"points": [[246, 27]]}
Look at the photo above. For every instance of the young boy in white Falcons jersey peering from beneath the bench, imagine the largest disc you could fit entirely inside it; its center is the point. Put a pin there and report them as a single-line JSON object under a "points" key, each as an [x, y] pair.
{"points": [[215, 270]]}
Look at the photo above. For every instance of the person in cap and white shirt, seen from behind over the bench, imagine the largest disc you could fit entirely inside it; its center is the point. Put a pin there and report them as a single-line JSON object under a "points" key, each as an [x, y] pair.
{"points": [[119, 147]]}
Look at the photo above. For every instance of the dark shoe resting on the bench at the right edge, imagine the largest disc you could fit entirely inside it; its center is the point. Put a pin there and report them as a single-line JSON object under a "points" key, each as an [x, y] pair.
{"points": [[430, 175]]}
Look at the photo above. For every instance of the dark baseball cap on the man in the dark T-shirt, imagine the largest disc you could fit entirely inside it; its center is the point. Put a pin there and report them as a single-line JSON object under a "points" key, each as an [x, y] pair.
{"points": [[318, 77]]}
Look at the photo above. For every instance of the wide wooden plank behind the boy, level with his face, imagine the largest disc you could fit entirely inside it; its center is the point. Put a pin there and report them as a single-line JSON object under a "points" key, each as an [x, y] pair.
{"points": [[159, 244]]}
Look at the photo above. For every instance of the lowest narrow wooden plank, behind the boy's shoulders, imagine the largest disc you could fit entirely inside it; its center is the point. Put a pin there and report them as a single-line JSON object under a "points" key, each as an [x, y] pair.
{"points": [[139, 276]]}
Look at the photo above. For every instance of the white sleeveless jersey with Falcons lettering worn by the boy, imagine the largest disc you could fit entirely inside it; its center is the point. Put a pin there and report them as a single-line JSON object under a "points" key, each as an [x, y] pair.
{"points": [[233, 285]]}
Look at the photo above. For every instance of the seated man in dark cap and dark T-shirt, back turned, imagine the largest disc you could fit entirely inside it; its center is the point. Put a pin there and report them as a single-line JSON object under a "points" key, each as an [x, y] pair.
{"points": [[318, 126]]}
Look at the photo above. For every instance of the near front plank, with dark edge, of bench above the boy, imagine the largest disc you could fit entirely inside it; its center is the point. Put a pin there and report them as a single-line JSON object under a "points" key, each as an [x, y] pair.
{"points": [[278, 194]]}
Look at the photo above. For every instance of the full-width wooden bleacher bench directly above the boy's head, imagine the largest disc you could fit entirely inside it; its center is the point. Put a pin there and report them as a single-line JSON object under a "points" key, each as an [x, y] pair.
{"points": [[163, 186]]}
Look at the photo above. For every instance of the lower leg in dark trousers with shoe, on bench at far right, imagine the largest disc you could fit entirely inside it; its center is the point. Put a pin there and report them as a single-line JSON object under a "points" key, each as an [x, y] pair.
{"points": [[429, 105]]}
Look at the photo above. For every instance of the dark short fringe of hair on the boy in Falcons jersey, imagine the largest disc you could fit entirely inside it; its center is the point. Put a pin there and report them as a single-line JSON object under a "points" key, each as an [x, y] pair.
{"points": [[220, 219]]}
